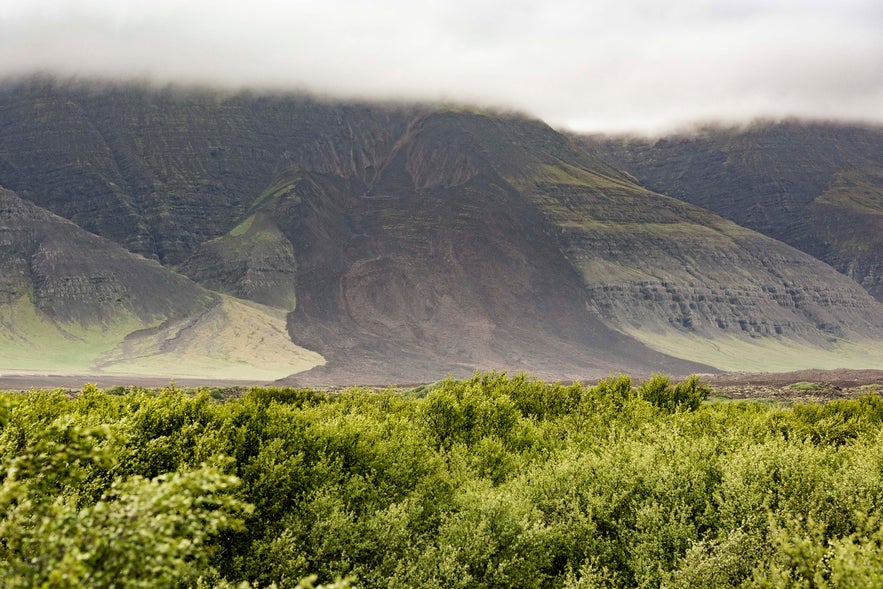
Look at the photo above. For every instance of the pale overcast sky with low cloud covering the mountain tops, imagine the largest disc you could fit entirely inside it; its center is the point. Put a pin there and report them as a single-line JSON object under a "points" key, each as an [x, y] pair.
{"points": [[604, 65]]}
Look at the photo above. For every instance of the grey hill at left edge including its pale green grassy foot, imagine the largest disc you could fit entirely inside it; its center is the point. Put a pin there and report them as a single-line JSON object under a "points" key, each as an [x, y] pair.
{"points": [[72, 301]]}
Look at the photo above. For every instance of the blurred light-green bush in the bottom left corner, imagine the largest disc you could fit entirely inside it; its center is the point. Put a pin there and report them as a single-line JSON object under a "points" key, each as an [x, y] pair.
{"points": [[140, 533]]}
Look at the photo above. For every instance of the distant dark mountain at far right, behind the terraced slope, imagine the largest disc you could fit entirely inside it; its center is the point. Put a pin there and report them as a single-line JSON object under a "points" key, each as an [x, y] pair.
{"points": [[815, 186]]}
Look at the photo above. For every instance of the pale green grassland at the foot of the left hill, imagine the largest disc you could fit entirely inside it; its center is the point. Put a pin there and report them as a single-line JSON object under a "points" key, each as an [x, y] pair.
{"points": [[232, 340]]}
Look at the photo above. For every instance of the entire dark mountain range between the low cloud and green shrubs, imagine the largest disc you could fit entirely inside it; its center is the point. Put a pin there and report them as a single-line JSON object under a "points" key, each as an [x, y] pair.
{"points": [[259, 236]]}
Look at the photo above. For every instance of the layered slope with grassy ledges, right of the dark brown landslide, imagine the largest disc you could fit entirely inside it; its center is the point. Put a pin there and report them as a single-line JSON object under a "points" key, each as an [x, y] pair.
{"points": [[682, 279]]}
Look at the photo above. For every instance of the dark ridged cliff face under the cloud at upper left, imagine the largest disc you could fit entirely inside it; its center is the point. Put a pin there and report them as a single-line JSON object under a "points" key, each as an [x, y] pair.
{"points": [[163, 171]]}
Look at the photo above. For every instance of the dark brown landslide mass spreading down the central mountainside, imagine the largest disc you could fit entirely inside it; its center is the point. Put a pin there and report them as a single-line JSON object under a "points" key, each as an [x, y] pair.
{"points": [[445, 274]]}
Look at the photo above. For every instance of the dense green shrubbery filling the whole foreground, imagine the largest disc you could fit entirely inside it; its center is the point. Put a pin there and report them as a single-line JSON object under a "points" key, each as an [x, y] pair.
{"points": [[489, 482]]}
